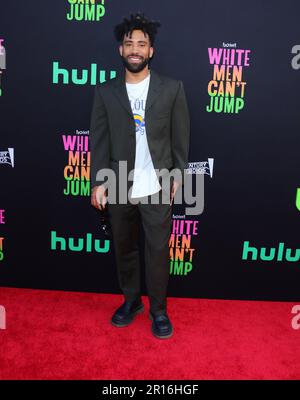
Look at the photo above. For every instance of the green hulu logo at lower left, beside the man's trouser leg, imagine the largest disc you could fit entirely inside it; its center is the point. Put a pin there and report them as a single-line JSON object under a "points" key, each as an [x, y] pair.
{"points": [[80, 244]]}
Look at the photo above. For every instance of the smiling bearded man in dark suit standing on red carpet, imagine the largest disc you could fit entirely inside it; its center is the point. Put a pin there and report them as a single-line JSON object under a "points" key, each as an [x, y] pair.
{"points": [[140, 117]]}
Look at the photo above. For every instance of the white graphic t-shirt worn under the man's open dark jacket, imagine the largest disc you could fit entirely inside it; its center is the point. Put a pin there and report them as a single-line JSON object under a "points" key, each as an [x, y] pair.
{"points": [[145, 181]]}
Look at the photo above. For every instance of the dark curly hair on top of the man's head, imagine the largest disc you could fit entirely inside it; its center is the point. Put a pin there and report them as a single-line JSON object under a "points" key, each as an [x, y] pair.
{"points": [[137, 21]]}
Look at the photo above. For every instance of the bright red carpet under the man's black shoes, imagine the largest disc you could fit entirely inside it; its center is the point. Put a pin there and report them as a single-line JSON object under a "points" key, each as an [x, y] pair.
{"points": [[63, 335]]}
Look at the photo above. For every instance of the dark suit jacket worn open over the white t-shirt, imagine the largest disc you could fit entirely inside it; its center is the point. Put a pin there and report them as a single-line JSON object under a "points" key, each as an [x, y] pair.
{"points": [[112, 128]]}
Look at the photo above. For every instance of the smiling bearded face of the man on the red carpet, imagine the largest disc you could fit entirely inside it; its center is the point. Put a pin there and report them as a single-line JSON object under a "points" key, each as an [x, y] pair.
{"points": [[136, 51]]}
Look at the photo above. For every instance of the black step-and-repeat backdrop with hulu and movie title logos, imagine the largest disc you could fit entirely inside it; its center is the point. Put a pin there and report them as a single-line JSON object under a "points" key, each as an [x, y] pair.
{"points": [[240, 65]]}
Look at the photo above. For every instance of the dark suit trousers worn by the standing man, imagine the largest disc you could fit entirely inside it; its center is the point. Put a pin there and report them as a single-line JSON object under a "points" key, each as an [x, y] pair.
{"points": [[156, 220]]}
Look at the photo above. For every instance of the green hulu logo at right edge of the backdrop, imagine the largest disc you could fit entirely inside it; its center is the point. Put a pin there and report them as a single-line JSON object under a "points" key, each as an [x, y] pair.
{"points": [[272, 254]]}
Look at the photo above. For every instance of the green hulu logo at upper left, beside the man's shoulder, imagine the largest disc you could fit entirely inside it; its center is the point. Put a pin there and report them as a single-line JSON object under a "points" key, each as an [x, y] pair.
{"points": [[80, 78]]}
